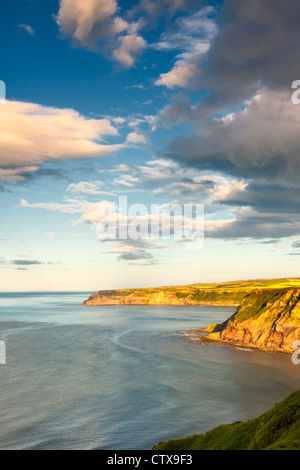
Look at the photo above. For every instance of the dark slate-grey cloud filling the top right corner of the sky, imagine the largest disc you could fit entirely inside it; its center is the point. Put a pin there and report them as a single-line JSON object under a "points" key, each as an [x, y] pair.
{"points": [[258, 43]]}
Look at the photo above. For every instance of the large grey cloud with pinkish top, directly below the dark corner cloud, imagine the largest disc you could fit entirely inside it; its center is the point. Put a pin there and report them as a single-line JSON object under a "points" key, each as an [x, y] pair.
{"points": [[259, 141]]}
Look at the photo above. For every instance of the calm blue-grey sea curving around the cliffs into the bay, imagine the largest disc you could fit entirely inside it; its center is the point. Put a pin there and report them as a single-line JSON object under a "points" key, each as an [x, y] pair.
{"points": [[125, 377]]}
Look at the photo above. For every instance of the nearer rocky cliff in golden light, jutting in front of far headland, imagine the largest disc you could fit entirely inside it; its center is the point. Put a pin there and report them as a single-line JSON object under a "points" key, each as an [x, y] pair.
{"points": [[268, 320]]}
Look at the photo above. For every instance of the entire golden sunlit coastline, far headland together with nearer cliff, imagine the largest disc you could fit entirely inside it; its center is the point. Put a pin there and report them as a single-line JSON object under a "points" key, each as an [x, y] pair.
{"points": [[267, 317]]}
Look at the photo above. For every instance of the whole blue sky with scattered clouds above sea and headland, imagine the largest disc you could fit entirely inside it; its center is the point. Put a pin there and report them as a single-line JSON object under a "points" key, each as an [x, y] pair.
{"points": [[163, 102]]}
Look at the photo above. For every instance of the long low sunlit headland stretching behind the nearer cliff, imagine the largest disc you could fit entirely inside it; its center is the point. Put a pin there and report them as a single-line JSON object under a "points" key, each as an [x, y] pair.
{"points": [[219, 294]]}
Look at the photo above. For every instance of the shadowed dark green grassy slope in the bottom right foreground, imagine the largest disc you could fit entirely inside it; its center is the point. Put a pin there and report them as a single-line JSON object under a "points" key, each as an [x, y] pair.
{"points": [[277, 429]]}
